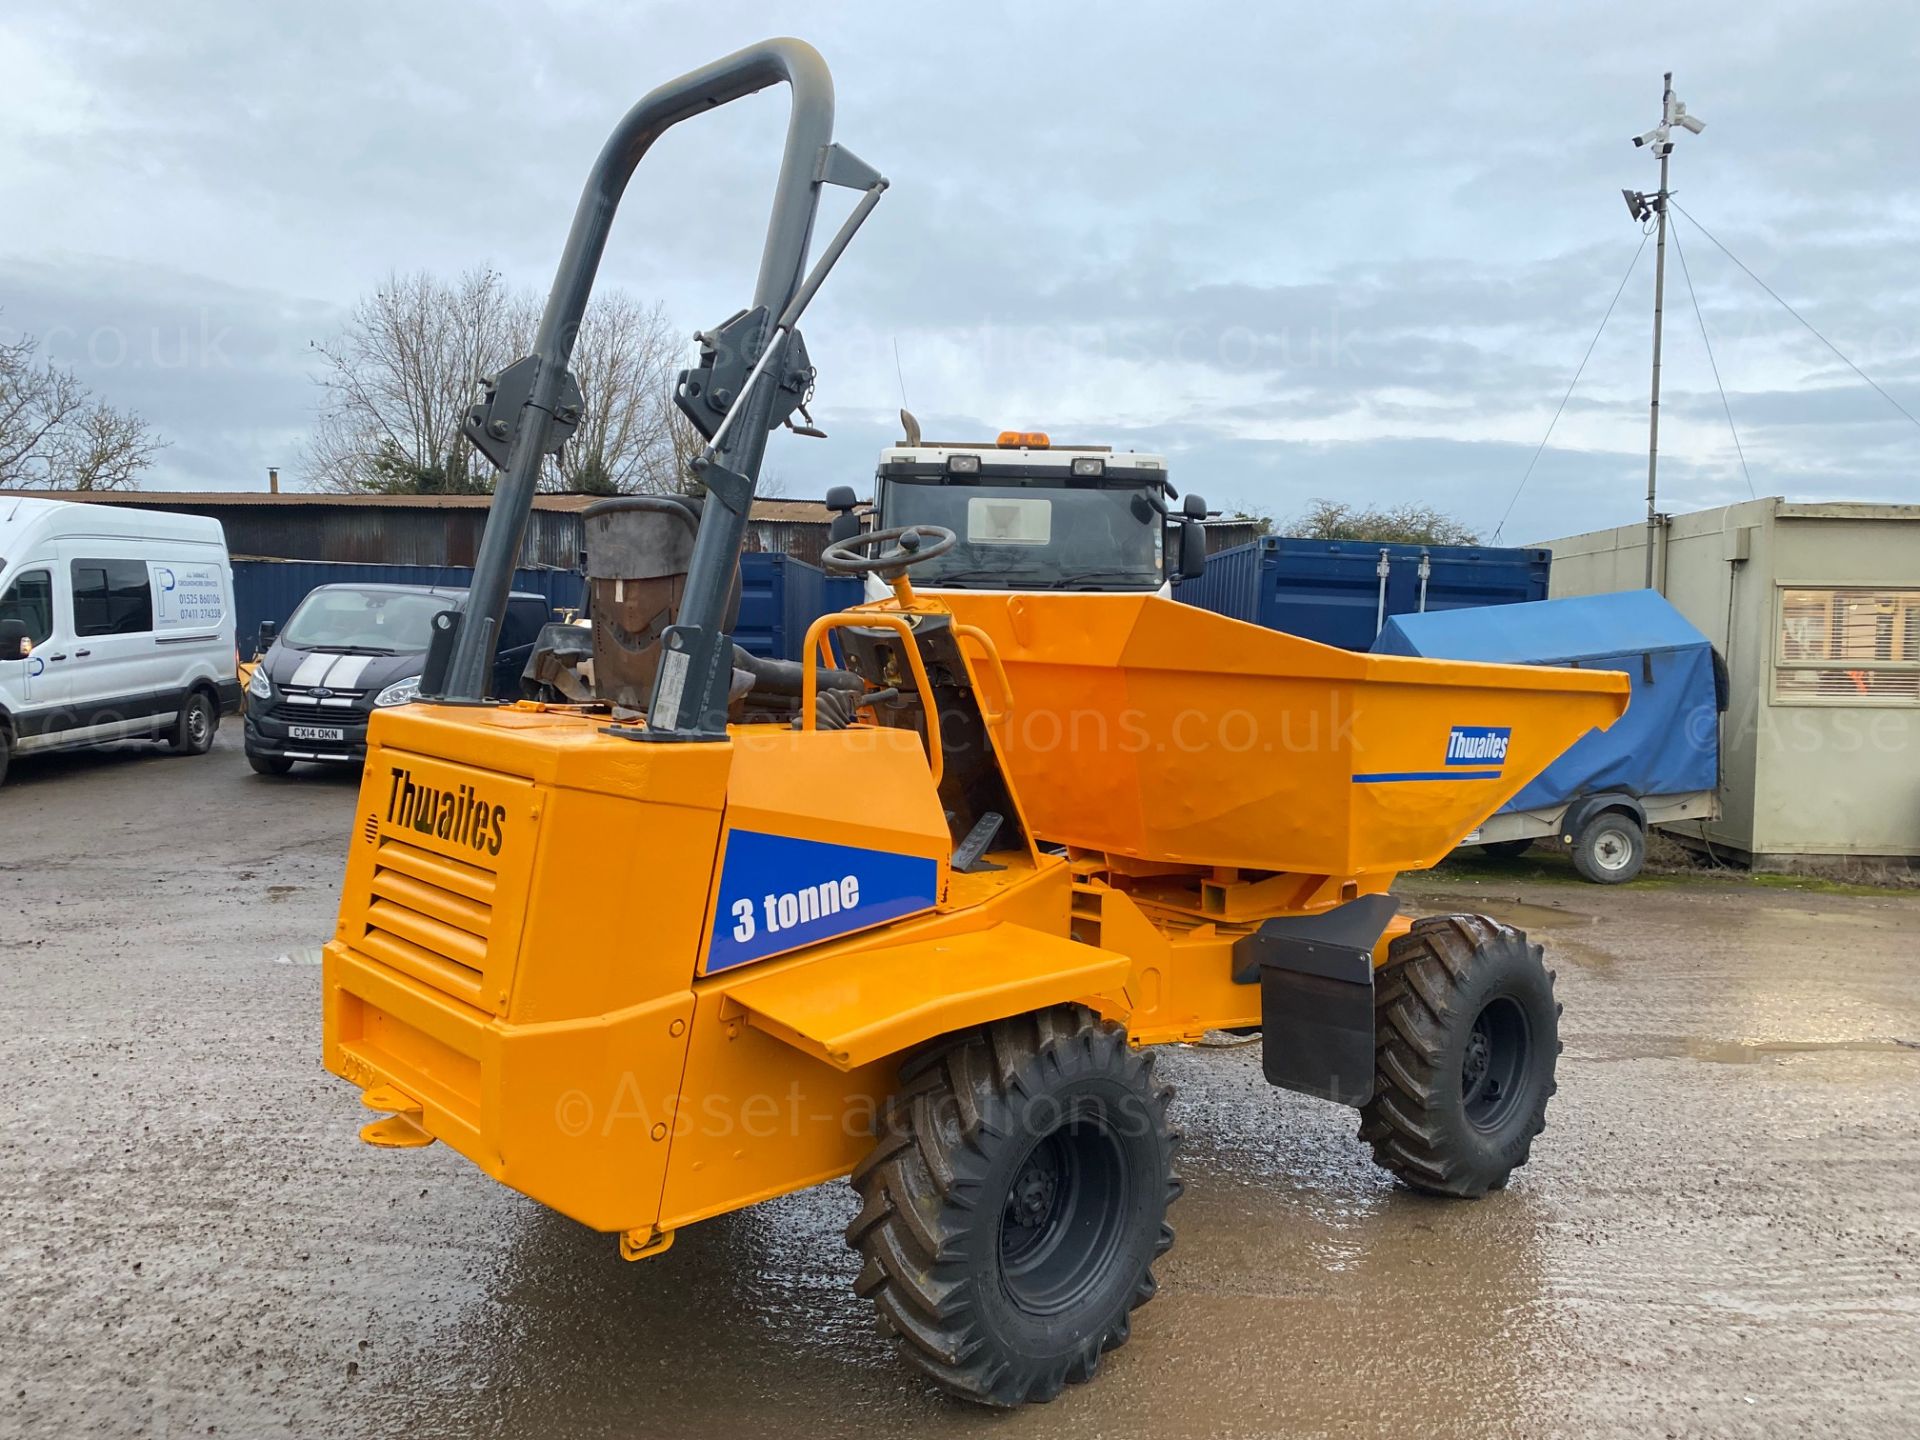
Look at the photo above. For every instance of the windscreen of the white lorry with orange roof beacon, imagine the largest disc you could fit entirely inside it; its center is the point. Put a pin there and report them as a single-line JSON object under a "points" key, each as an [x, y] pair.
{"points": [[1036, 537]]}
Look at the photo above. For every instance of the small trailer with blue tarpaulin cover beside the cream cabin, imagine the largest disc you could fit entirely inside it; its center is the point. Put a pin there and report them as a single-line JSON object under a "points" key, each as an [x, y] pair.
{"points": [[1658, 767]]}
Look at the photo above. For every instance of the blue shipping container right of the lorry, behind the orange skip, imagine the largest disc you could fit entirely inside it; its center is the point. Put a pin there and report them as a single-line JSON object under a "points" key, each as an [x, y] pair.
{"points": [[1332, 590]]}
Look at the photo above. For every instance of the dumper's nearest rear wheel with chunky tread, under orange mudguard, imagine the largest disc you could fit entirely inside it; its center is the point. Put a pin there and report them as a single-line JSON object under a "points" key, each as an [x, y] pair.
{"points": [[1015, 1205]]}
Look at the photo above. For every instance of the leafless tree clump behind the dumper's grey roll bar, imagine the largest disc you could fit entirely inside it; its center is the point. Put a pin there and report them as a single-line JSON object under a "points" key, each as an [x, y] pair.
{"points": [[400, 377]]}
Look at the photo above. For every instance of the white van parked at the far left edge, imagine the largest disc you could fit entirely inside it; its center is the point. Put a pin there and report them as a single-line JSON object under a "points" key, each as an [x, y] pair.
{"points": [[116, 623]]}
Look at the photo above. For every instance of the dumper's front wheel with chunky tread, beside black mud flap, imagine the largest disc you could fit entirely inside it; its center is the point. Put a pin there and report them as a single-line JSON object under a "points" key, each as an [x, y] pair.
{"points": [[1466, 1044]]}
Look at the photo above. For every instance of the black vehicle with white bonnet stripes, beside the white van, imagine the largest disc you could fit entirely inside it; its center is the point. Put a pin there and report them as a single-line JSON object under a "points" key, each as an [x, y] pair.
{"points": [[352, 650]]}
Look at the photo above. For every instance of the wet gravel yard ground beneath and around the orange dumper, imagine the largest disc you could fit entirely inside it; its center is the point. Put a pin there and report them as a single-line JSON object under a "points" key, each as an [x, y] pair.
{"points": [[1719, 1234]]}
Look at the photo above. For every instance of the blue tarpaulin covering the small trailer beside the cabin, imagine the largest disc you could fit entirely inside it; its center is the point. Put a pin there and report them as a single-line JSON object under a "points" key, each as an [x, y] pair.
{"points": [[1668, 742]]}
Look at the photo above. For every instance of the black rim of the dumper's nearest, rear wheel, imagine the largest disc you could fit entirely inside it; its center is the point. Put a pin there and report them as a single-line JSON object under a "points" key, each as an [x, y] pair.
{"points": [[1065, 1220]]}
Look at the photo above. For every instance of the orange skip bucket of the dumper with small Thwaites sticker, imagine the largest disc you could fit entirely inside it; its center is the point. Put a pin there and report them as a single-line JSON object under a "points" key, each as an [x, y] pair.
{"points": [[1153, 731]]}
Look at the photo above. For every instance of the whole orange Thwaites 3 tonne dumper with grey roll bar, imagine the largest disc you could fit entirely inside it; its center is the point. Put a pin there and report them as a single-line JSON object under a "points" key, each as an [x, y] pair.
{"points": [[999, 930]]}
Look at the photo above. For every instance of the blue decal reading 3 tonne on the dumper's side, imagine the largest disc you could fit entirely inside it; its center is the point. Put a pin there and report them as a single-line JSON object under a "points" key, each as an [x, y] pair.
{"points": [[780, 894]]}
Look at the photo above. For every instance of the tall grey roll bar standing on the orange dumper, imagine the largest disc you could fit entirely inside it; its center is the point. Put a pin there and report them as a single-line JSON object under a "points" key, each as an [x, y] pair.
{"points": [[696, 663]]}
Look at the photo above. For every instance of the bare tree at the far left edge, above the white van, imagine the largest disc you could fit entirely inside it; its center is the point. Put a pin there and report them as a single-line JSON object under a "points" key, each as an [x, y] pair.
{"points": [[55, 435]]}
